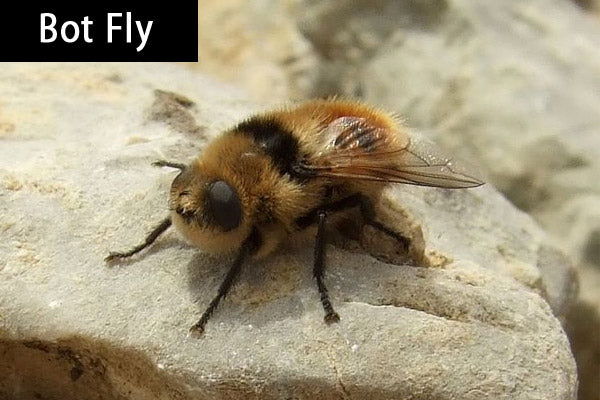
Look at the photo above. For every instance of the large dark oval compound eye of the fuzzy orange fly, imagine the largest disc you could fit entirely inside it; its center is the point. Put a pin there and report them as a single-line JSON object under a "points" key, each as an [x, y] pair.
{"points": [[224, 205]]}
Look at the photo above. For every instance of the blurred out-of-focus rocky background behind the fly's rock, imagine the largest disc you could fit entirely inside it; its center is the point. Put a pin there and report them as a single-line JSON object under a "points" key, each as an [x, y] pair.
{"points": [[512, 86]]}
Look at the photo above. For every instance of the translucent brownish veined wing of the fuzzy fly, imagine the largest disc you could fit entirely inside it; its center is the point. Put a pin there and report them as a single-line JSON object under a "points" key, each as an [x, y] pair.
{"points": [[356, 149]]}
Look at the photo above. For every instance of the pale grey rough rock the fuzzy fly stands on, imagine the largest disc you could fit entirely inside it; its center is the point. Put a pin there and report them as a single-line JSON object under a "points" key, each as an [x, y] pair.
{"points": [[76, 182]]}
